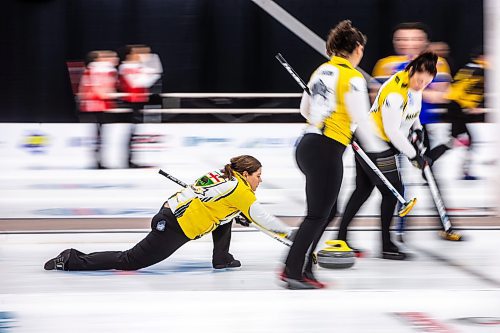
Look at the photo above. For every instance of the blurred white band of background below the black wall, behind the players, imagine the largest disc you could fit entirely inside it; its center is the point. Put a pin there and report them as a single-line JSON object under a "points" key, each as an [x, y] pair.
{"points": [[46, 169]]}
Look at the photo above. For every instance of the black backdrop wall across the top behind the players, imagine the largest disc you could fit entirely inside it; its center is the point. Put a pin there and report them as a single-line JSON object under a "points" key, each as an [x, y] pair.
{"points": [[205, 46]]}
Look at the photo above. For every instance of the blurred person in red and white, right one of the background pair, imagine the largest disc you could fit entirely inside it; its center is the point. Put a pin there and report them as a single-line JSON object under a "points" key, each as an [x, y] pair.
{"points": [[137, 74]]}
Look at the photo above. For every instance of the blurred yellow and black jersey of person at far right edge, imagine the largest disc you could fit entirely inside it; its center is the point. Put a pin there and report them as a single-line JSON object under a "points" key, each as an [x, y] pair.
{"points": [[467, 88]]}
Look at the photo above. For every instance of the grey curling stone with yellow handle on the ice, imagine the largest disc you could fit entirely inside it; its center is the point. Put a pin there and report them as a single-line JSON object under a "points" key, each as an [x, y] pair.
{"points": [[337, 255]]}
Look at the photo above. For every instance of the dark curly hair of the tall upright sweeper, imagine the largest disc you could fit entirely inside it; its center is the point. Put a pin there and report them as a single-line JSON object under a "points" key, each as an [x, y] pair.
{"points": [[343, 39]]}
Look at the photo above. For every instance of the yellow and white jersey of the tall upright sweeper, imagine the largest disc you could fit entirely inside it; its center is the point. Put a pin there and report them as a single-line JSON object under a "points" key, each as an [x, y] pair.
{"points": [[327, 111]]}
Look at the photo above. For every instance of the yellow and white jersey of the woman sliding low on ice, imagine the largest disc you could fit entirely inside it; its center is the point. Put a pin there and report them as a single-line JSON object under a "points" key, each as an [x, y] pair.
{"points": [[214, 200]]}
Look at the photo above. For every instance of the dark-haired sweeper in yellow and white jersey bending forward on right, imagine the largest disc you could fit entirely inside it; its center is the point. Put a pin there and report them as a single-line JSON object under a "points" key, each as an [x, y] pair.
{"points": [[396, 112]]}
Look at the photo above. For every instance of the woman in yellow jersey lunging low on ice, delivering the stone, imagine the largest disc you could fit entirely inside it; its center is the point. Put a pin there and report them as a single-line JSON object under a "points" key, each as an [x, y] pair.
{"points": [[207, 206]]}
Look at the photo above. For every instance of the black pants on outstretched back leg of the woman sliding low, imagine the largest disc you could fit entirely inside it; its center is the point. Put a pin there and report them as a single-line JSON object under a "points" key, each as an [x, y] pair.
{"points": [[165, 237]]}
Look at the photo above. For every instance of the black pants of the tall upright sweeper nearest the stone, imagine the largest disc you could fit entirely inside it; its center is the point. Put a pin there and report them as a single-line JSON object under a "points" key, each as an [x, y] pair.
{"points": [[320, 160]]}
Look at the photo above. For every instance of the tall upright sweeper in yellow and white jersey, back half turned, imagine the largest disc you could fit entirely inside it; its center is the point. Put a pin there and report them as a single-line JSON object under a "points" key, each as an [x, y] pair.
{"points": [[338, 100]]}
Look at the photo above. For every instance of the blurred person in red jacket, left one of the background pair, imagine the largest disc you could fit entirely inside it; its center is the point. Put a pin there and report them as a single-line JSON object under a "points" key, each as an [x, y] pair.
{"points": [[96, 93]]}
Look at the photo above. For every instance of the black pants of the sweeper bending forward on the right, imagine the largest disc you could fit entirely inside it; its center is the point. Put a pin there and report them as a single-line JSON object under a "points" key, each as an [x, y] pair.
{"points": [[366, 181]]}
